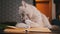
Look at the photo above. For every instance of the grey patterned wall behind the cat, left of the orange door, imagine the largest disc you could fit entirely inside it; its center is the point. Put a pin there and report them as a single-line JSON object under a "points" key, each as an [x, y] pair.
{"points": [[10, 10]]}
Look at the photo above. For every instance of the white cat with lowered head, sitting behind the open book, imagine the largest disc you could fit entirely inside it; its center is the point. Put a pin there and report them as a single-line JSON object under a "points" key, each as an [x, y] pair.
{"points": [[32, 17]]}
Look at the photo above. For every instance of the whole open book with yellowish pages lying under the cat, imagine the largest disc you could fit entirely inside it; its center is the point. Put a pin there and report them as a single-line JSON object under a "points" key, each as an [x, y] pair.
{"points": [[12, 29]]}
